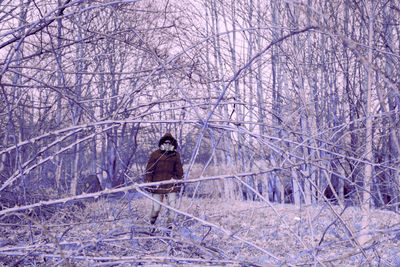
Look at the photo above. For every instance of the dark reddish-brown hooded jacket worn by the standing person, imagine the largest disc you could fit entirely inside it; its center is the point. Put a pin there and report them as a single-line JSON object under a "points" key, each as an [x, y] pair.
{"points": [[164, 165]]}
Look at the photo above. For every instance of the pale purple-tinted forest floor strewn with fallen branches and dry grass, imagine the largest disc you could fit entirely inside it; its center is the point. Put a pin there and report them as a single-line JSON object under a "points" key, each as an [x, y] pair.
{"points": [[116, 232]]}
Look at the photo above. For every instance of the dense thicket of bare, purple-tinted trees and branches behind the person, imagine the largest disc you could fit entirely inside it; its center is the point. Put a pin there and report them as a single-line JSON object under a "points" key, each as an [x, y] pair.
{"points": [[302, 98]]}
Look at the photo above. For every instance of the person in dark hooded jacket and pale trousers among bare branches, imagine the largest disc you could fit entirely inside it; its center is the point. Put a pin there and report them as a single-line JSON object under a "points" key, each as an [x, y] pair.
{"points": [[164, 164]]}
